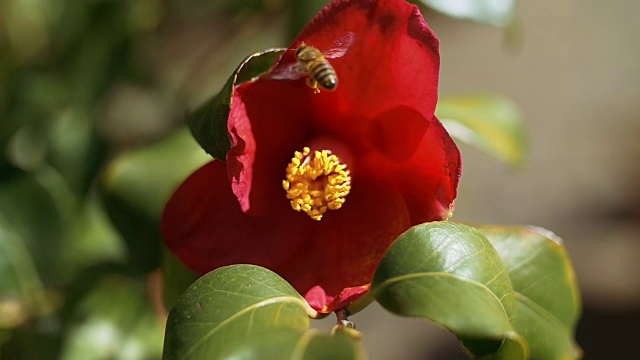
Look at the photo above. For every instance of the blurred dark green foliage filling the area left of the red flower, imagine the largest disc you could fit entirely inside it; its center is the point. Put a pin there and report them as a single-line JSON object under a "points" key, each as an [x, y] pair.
{"points": [[92, 98]]}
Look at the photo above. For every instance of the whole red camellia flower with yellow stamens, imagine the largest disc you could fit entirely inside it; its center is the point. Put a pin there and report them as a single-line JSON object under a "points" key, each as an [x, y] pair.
{"points": [[319, 183]]}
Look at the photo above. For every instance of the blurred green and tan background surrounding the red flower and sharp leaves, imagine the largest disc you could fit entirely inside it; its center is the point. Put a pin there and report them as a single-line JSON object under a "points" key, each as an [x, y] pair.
{"points": [[92, 98]]}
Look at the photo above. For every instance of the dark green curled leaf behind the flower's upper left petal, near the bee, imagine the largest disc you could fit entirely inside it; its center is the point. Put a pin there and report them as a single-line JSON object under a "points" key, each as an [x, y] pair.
{"points": [[208, 123]]}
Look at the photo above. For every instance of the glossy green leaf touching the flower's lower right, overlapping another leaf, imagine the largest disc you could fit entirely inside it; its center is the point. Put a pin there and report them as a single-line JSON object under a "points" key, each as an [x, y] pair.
{"points": [[449, 273]]}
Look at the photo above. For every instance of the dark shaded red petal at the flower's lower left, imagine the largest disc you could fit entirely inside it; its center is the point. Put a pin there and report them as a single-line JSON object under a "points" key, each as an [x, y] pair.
{"points": [[203, 225]]}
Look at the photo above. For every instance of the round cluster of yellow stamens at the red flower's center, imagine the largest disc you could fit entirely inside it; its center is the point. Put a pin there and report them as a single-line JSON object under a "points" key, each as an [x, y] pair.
{"points": [[316, 182]]}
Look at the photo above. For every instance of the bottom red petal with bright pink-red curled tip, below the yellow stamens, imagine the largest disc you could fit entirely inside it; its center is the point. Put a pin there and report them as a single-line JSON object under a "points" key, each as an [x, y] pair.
{"points": [[343, 250]]}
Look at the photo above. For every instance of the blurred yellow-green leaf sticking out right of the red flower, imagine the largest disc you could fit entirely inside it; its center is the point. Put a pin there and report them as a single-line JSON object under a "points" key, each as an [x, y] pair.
{"points": [[489, 122]]}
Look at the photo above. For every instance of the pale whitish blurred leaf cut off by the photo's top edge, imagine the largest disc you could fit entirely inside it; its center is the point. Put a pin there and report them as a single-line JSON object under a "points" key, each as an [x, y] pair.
{"points": [[493, 12]]}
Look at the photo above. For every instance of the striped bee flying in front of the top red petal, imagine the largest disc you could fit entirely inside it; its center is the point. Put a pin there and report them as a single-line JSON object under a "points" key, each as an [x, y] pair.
{"points": [[314, 64]]}
